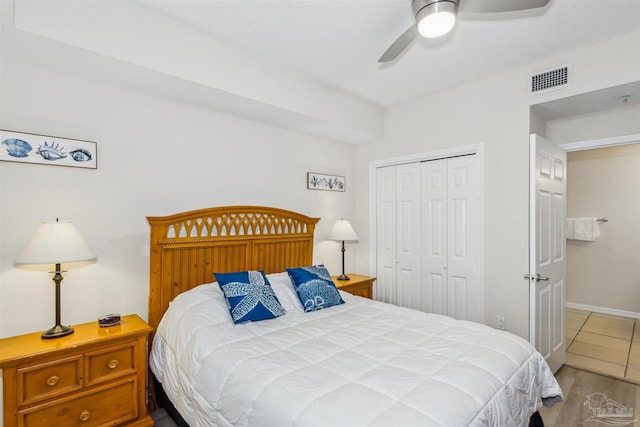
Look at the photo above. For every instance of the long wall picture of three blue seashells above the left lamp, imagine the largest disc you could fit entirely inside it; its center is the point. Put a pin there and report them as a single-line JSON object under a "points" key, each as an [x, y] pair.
{"points": [[47, 150]]}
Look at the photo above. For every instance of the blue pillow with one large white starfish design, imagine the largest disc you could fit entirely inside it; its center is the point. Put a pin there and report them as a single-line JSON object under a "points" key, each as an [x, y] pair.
{"points": [[250, 296]]}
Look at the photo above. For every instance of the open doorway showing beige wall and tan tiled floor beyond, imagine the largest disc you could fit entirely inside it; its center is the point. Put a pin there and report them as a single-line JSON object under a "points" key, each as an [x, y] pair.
{"points": [[603, 298]]}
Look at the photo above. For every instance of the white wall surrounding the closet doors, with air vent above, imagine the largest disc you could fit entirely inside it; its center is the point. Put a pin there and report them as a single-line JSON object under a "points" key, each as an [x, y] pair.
{"points": [[495, 111]]}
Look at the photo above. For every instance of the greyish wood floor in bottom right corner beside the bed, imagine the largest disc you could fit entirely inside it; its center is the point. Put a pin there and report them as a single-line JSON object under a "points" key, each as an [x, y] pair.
{"points": [[584, 393]]}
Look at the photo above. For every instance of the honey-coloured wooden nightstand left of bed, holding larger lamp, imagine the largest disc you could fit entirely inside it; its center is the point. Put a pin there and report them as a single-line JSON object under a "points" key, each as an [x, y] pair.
{"points": [[94, 377]]}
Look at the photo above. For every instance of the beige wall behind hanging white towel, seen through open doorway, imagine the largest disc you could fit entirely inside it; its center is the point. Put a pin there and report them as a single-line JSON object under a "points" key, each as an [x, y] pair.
{"points": [[605, 273]]}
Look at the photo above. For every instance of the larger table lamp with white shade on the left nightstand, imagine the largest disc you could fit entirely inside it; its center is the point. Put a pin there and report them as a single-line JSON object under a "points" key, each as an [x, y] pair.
{"points": [[56, 242]]}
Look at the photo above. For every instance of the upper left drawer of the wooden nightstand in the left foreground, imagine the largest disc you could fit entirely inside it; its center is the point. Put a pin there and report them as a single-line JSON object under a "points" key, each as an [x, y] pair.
{"points": [[48, 379]]}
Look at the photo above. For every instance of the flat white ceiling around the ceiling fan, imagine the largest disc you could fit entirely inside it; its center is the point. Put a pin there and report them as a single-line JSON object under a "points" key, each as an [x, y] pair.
{"points": [[338, 42]]}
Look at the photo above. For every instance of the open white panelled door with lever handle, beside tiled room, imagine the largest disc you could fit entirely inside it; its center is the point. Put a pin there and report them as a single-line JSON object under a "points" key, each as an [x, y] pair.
{"points": [[547, 259]]}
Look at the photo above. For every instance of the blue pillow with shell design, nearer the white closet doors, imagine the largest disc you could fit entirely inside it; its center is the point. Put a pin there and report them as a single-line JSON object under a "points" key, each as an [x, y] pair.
{"points": [[314, 287]]}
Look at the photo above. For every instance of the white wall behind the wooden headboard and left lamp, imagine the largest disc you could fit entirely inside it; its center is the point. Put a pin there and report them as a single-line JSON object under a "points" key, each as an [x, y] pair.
{"points": [[155, 157]]}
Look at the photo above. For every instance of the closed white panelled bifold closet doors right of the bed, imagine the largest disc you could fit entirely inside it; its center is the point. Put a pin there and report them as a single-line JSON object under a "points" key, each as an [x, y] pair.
{"points": [[428, 233]]}
